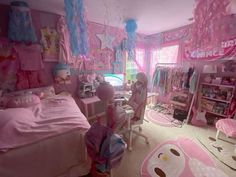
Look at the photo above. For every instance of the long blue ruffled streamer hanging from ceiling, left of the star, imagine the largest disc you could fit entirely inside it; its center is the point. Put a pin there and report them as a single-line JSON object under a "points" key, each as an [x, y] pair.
{"points": [[76, 23]]}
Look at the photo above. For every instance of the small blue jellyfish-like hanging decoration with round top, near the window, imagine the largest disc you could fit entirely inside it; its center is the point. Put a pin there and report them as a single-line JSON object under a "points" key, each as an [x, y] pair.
{"points": [[131, 27]]}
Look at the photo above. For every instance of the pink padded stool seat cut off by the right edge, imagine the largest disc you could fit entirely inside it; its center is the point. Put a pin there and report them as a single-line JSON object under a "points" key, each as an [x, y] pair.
{"points": [[227, 126]]}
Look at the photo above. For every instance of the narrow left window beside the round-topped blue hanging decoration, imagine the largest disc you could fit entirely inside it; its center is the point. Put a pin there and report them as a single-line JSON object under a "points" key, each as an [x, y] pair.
{"points": [[136, 65]]}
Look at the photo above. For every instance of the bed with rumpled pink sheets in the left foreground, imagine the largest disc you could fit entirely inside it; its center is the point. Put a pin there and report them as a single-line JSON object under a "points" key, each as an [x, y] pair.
{"points": [[45, 139]]}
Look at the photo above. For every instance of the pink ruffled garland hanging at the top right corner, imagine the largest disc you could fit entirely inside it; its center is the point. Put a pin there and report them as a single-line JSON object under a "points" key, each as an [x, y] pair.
{"points": [[206, 29]]}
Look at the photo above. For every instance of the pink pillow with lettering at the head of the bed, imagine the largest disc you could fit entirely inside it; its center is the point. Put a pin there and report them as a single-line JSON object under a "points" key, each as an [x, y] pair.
{"points": [[22, 101]]}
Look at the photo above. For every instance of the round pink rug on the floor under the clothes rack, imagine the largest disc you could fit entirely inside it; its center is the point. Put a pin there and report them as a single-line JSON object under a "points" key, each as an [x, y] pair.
{"points": [[159, 118]]}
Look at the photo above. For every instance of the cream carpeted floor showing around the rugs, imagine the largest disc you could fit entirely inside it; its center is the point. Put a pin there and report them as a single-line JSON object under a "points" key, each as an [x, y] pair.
{"points": [[132, 161]]}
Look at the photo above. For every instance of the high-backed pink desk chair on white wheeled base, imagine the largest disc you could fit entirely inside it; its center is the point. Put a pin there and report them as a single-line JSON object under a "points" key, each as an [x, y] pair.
{"points": [[135, 108]]}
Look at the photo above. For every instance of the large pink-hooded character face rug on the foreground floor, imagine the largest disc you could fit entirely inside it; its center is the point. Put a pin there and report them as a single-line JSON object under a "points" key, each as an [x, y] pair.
{"points": [[179, 158]]}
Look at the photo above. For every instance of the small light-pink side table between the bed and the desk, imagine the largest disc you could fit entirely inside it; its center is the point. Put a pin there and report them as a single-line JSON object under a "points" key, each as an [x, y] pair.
{"points": [[91, 101]]}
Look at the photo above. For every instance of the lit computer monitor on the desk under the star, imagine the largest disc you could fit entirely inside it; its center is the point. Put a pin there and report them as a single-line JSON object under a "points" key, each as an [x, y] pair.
{"points": [[116, 80]]}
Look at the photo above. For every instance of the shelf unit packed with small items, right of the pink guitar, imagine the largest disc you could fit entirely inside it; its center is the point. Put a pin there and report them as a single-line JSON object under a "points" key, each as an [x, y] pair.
{"points": [[214, 101]]}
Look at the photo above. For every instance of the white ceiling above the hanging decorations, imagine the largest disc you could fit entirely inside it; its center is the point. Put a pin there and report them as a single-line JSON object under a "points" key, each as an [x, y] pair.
{"points": [[152, 16]]}
